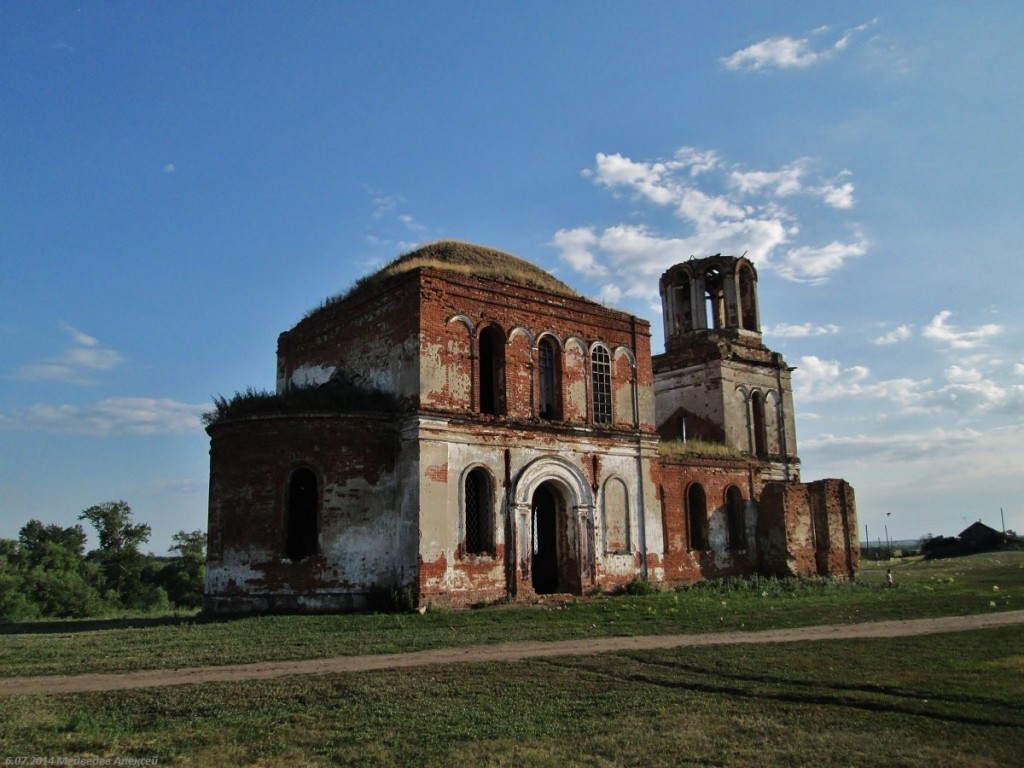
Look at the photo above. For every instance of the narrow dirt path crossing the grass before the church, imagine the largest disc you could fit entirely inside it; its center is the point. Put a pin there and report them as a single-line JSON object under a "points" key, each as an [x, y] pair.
{"points": [[498, 653]]}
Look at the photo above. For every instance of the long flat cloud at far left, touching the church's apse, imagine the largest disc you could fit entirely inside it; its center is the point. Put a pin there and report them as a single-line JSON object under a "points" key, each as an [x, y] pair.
{"points": [[140, 416]]}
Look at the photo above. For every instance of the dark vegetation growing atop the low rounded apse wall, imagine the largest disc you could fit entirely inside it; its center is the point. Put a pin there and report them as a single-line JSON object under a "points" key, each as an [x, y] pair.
{"points": [[338, 396]]}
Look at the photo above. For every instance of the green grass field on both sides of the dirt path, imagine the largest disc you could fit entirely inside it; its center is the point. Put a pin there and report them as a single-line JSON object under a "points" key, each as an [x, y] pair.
{"points": [[955, 700]]}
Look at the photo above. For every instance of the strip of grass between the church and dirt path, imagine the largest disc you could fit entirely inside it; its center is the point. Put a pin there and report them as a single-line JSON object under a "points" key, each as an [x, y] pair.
{"points": [[957, 586]]}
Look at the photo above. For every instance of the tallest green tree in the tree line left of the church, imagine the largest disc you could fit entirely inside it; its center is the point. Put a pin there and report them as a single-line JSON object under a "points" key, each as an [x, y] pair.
{"points": [[119, 558]]}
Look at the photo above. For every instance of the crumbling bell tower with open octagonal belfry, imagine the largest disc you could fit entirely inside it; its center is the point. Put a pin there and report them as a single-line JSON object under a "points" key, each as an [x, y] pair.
{"points": [[717, 381]]}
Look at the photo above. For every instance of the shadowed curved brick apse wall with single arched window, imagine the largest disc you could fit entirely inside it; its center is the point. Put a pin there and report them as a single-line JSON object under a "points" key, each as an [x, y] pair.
{"points": [[251, 461]]}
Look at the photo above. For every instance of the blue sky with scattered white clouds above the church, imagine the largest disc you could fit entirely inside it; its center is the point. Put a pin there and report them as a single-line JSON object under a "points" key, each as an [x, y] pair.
{"points": [[181, 182]]}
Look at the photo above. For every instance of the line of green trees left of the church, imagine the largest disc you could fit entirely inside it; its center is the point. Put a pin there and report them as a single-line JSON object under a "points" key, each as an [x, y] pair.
{"points": [[47, 573]]}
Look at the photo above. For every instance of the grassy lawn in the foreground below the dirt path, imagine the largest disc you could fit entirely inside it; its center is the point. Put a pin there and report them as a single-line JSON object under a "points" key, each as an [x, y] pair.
{"points": [[954, 700]]}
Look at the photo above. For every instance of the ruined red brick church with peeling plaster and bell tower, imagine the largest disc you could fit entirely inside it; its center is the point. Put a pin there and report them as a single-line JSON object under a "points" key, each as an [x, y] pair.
{"points": [[466, 429]]}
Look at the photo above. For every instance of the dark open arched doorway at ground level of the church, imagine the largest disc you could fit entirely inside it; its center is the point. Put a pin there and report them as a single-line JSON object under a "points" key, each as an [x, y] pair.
{"points": [[554, 566]]}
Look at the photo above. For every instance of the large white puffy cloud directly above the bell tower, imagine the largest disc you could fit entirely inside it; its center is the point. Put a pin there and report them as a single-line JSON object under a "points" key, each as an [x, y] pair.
{"points": [[726, 208]]}
